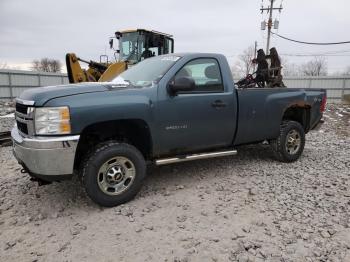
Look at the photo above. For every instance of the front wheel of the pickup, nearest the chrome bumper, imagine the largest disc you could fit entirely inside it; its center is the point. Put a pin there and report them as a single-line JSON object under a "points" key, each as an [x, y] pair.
{"points": [[113, 173]]}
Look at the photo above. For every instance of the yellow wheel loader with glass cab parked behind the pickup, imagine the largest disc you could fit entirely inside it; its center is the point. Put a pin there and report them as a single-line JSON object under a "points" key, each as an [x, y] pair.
{"points": [[134, 46]]}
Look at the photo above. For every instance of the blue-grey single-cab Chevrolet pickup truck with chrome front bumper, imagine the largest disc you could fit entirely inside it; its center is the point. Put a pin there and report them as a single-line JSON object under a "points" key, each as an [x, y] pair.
{"points": [[166, 109]]}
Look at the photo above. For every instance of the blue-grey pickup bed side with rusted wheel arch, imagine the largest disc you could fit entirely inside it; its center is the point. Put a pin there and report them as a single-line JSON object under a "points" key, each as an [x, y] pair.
{"points": [[261, 111]]}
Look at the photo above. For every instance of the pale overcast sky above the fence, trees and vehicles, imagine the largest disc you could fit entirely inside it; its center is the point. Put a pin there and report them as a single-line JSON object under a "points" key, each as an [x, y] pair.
{"points": [[46, 28]]}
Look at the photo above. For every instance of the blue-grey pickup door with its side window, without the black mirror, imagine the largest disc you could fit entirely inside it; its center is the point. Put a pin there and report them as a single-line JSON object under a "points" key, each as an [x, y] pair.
{"points": [[199, 119]]}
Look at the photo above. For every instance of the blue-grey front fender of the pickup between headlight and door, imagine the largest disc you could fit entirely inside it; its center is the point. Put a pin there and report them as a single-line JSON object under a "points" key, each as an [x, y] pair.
{"points": [[88, 109]]}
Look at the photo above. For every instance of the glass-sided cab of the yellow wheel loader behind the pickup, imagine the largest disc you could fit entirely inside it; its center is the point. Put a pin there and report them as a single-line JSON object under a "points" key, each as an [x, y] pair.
{"points": [[137, 45]]}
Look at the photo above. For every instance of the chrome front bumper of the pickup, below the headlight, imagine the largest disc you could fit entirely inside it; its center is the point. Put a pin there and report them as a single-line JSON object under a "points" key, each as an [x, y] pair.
{"points": [[47, 156]]}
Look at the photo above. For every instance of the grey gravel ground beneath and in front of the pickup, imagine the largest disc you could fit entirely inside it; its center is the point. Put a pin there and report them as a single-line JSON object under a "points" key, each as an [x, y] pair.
{"points": [[242, 208]]}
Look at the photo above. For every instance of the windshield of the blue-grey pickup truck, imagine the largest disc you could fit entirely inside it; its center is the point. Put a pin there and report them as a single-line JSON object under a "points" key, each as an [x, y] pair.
{"points": [[146, 73]]}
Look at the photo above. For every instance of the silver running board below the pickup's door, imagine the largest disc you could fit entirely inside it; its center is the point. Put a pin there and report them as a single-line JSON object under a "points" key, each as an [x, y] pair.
{"points": [[185, 158]]}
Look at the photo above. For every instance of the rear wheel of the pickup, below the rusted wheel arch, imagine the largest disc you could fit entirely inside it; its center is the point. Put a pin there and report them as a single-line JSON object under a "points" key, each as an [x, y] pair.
{"points": [[285, 151]]}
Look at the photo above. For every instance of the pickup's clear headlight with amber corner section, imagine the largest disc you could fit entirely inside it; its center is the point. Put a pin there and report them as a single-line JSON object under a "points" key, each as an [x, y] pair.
{"points": [[52, 121]]}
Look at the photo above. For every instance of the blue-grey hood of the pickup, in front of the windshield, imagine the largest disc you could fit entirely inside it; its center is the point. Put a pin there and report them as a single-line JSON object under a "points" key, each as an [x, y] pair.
{"points": [[41, 95]]}
